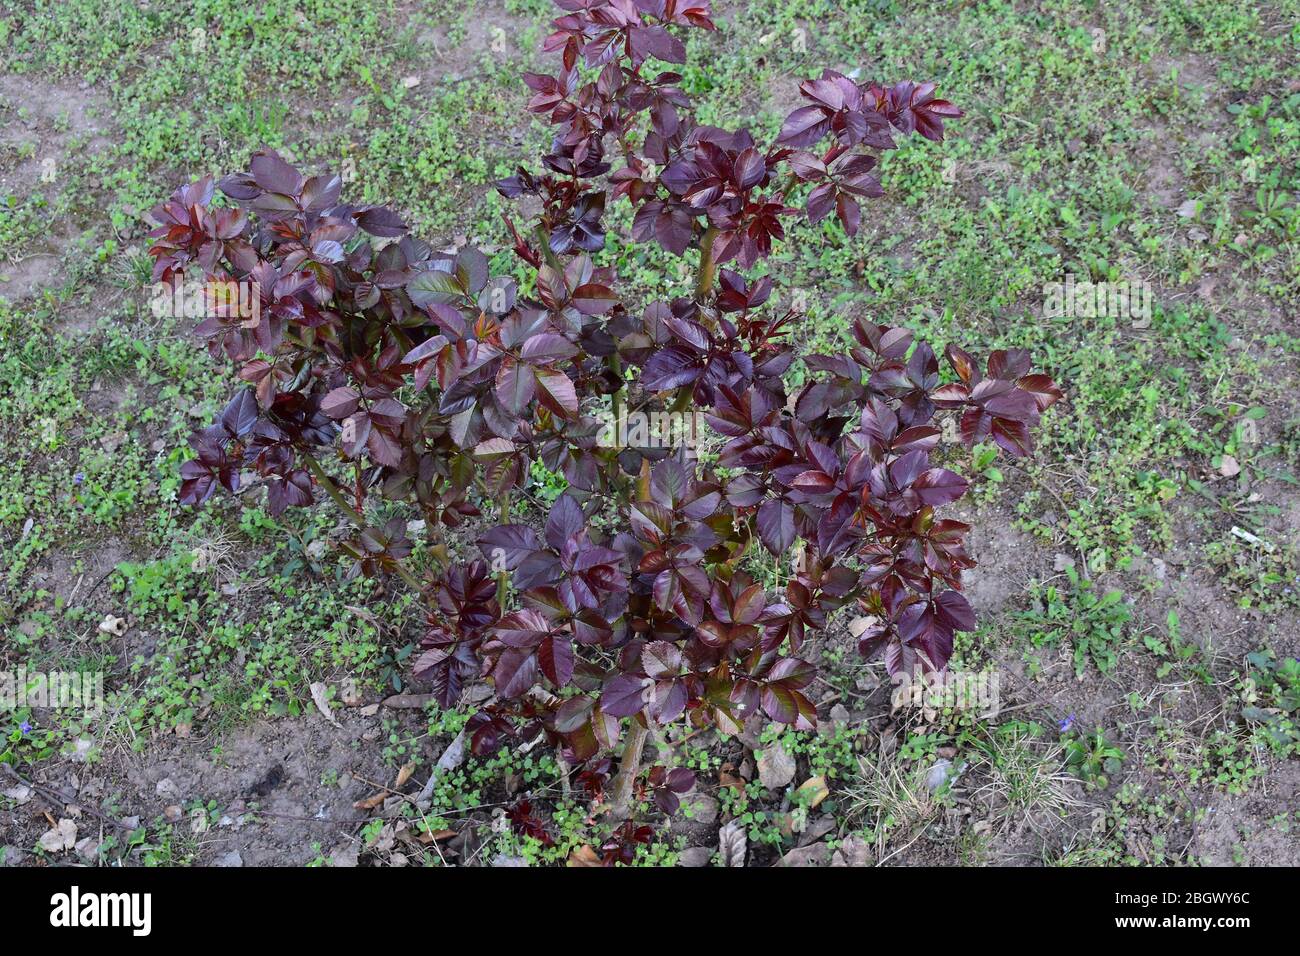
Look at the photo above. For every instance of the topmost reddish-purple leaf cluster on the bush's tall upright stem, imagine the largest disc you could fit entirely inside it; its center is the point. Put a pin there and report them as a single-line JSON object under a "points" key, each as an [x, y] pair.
{"points": [[705, 175]]}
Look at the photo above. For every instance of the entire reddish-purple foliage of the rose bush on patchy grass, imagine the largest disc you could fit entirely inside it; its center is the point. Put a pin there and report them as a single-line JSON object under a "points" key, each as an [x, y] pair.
{"points": [[439, 384]]}
